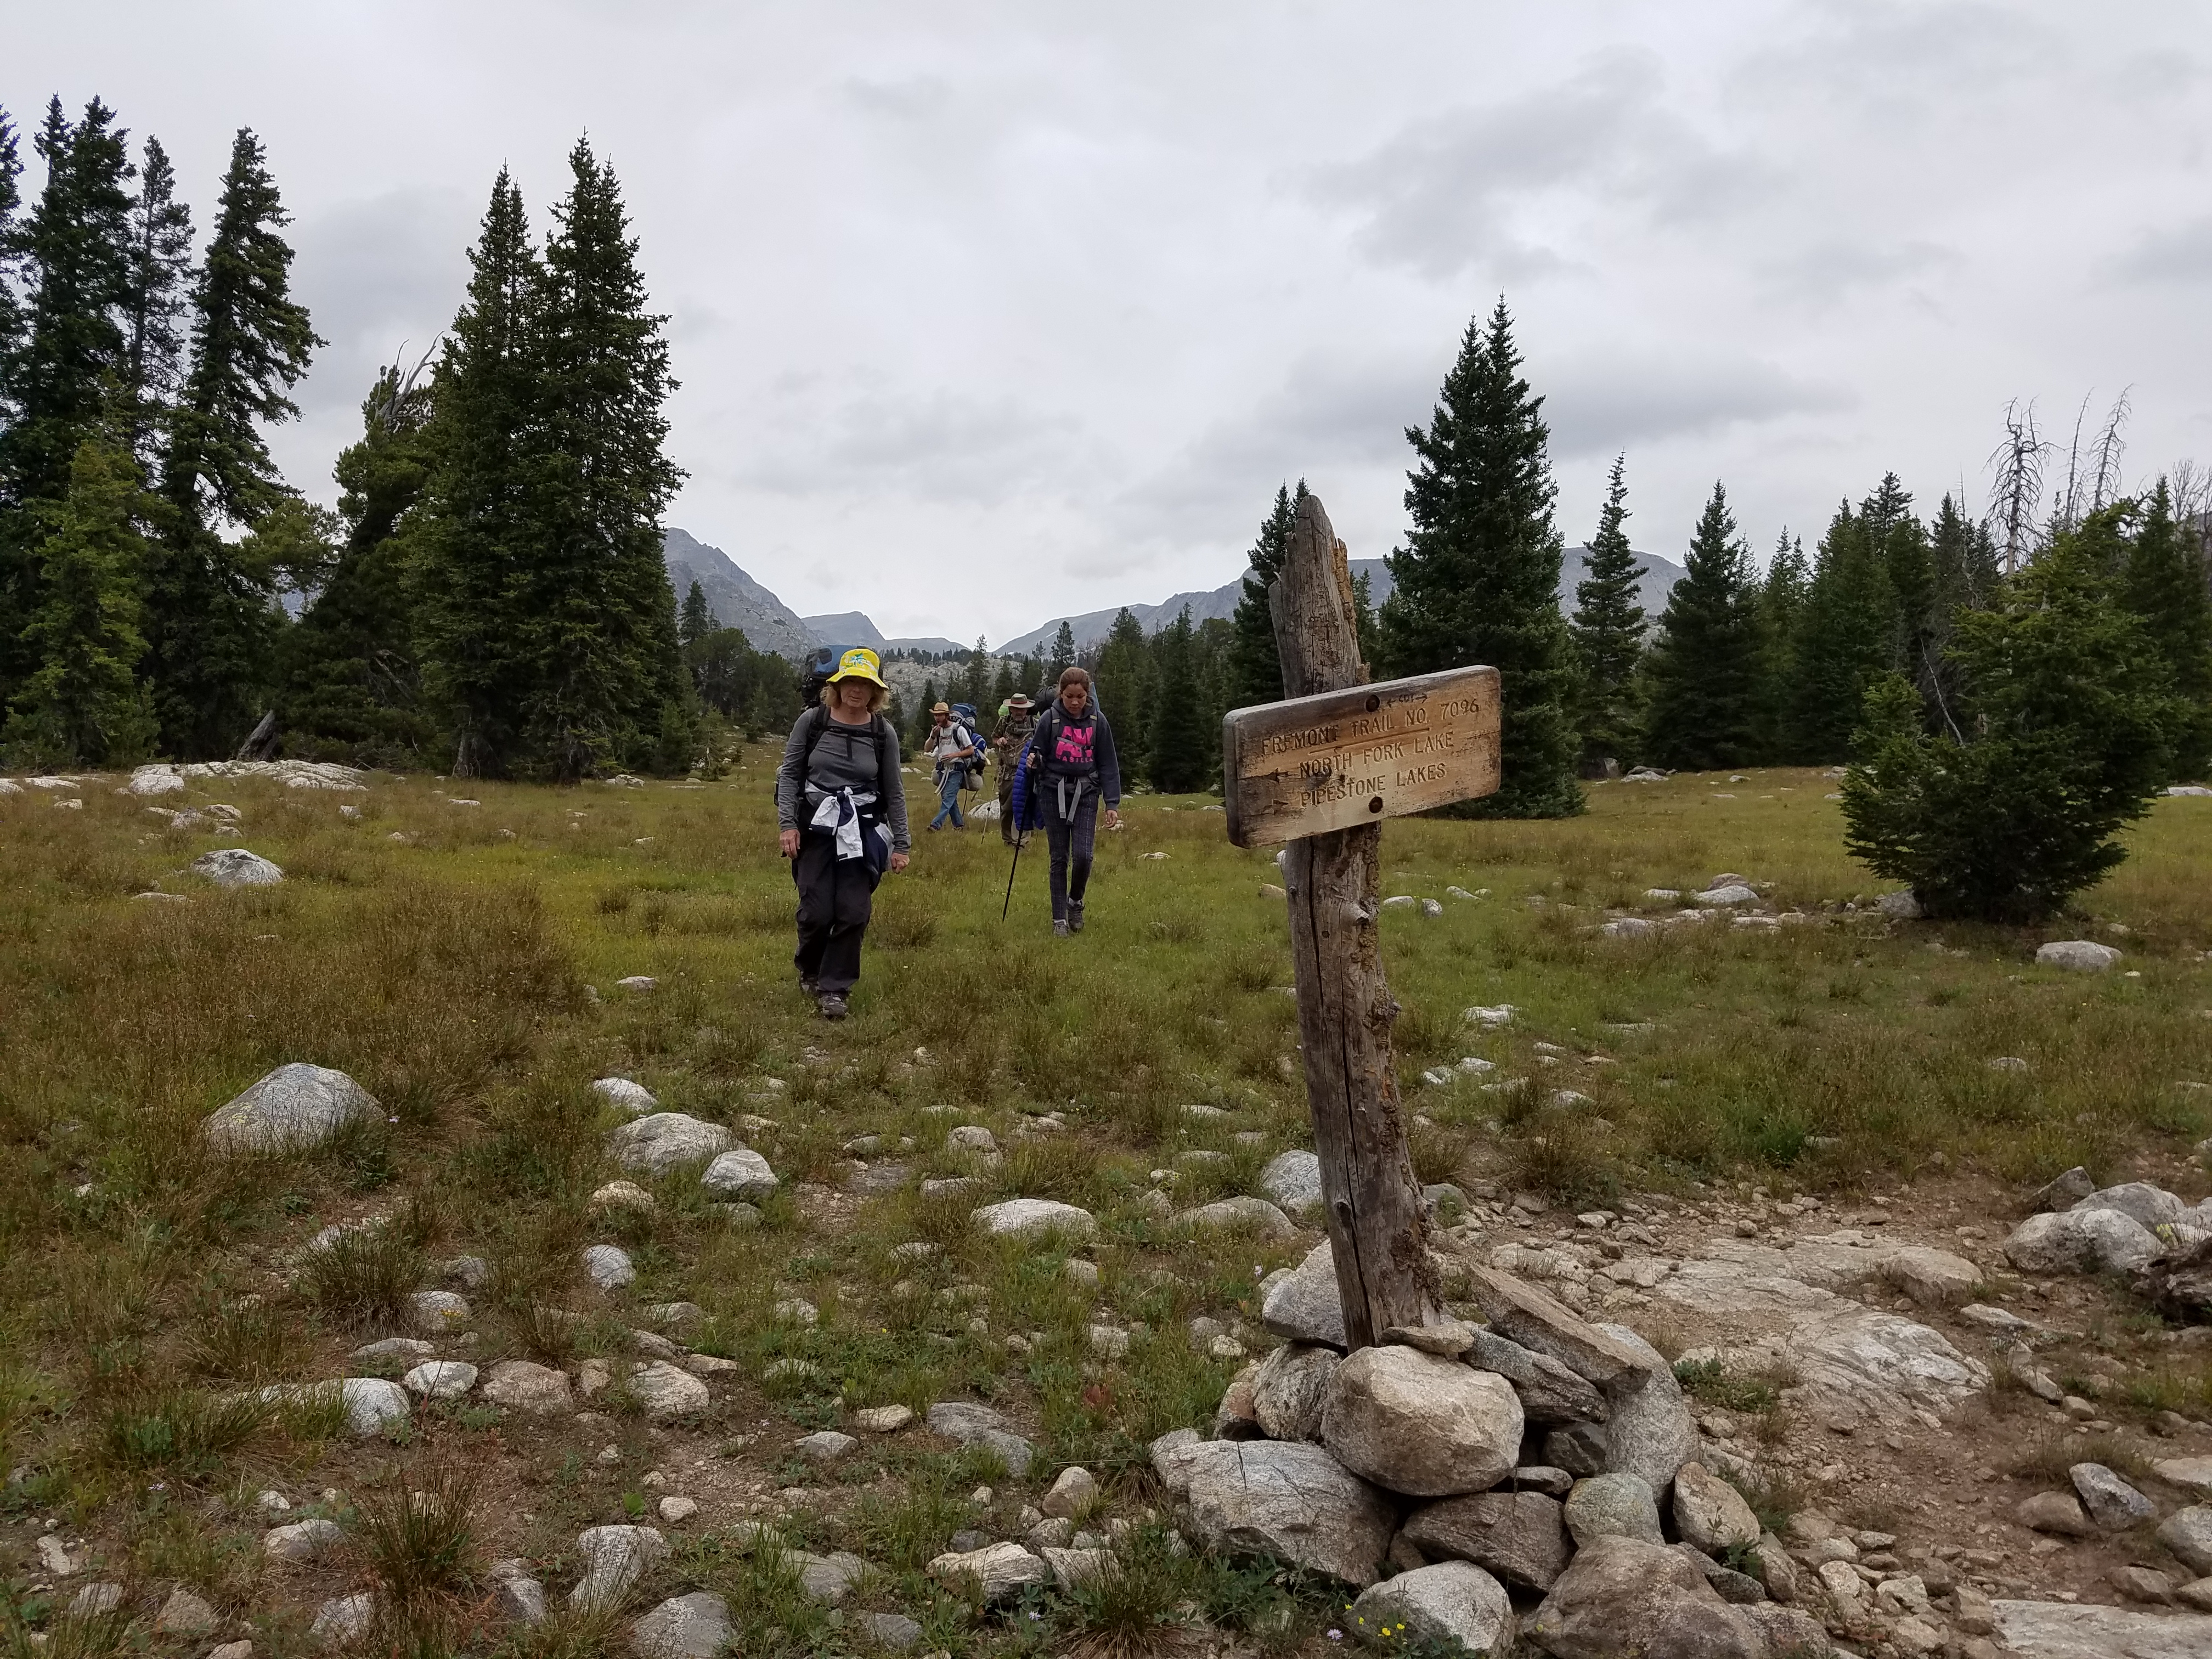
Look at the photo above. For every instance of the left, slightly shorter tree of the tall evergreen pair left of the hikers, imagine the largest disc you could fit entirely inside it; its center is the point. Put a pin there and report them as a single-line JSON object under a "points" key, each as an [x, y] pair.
{"points": [[468, 570]]}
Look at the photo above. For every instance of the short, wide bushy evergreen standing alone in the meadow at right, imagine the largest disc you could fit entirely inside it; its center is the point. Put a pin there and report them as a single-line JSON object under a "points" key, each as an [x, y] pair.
{"points": [[2063, 740]]}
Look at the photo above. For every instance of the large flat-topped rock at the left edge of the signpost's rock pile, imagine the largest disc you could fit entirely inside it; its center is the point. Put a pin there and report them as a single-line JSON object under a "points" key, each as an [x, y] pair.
{"points": [[1286, 1501]]}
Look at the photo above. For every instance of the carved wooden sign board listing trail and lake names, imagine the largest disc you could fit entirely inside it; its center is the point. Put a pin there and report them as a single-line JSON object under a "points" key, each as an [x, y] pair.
{"points": [[1359, 755]]}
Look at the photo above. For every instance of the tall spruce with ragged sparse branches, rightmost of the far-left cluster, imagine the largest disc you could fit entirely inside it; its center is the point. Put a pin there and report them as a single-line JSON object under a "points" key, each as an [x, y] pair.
{"points": [[213, 612]]}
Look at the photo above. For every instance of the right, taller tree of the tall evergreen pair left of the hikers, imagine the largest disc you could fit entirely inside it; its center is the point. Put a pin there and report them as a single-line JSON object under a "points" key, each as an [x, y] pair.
{"points": [[598, 620]]}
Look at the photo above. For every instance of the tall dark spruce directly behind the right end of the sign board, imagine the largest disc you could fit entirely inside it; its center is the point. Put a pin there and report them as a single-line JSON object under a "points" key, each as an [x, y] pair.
{"points": [[1479, 576]]}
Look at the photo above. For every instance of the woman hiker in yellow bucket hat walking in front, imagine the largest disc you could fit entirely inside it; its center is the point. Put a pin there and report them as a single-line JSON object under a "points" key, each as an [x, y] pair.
{"points": [[842, 817]]}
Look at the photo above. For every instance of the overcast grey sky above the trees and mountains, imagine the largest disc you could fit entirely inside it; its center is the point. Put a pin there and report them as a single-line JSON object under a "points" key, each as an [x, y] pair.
{"points": [[994, 313]]}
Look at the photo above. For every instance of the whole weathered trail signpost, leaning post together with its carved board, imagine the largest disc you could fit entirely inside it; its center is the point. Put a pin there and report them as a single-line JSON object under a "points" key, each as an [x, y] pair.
{"points": [[1324, 769]]}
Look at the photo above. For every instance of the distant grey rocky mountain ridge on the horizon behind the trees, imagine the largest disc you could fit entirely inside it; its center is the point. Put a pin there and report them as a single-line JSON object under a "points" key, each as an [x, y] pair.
{"points": [[771, 625]]}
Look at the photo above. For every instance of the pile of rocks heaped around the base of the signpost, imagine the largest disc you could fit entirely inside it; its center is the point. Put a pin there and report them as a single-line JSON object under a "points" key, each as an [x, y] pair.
{"points": [[1532, 1481]]}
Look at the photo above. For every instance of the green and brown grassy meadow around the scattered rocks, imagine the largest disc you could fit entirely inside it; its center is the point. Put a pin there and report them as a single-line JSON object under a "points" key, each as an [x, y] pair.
{"points": [[463, 961]]}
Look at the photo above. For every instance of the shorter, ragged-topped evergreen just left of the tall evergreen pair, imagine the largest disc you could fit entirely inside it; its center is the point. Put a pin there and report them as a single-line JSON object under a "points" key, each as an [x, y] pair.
{"points": [[351, 669]]}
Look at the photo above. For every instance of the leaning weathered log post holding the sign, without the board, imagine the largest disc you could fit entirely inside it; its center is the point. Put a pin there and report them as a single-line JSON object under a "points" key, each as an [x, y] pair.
{"points": [[1377, 1227]]}
